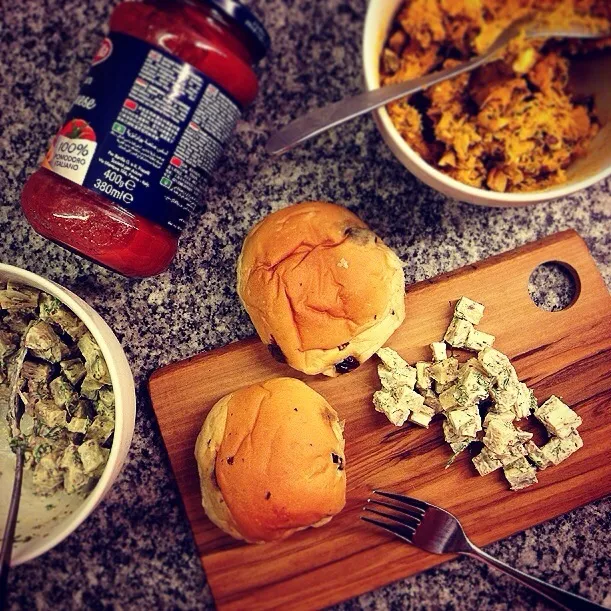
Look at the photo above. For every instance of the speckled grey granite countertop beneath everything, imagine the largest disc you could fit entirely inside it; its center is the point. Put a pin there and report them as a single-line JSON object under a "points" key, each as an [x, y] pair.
{"points": [[136, 550]]}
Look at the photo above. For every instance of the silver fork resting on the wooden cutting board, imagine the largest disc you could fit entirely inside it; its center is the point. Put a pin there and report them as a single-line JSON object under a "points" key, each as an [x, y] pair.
{"points": [[439, 532]]}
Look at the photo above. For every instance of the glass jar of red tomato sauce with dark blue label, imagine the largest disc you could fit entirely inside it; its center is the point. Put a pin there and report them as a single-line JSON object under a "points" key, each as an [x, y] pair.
{"points": [[161, 98]]}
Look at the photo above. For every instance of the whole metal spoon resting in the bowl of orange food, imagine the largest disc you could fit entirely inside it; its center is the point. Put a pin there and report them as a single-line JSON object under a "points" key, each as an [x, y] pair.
{"points": [[322, 119]]}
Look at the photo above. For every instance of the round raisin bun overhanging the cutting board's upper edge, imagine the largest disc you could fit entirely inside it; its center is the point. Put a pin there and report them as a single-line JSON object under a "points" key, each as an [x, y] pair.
{"points": [[323, 291]]}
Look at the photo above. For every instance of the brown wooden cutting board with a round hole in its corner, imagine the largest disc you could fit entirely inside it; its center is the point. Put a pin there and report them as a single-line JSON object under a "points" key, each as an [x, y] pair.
{"points": [[567, 353]]}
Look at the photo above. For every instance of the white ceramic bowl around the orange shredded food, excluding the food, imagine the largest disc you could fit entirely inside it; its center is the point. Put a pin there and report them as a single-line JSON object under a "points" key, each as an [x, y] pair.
{"points": [[594, 78]]}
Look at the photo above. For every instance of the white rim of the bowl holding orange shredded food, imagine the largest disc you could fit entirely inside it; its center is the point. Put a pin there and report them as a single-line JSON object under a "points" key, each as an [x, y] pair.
{"points": [[370, 66]]}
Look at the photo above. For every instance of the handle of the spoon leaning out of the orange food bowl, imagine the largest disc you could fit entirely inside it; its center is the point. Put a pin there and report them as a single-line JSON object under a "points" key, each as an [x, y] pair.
{"points": [[322, 119]]}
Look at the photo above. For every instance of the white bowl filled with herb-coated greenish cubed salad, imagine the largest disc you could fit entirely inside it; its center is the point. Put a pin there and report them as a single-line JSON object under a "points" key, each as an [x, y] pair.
{"points": [[67, 398]]}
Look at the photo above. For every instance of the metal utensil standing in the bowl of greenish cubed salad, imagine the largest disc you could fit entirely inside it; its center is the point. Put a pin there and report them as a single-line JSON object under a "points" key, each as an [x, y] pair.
{"points": [[15, 412]]}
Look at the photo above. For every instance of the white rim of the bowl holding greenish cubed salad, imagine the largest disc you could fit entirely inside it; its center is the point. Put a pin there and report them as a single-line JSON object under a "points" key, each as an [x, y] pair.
{"points": [[123, 396]]}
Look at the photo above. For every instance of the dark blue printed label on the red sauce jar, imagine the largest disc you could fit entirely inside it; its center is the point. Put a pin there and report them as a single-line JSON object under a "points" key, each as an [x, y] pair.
{"points": [[145, 131]]}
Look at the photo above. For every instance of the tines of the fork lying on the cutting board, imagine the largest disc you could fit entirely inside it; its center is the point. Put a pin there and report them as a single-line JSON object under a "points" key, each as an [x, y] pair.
{"points": [[403, 523]]}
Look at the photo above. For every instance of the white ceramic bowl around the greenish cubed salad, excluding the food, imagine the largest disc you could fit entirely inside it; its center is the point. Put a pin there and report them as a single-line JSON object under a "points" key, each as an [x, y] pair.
{"points": [[39, 527]]}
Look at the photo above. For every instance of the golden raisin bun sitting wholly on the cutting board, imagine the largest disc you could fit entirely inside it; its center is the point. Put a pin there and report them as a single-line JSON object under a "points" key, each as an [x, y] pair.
{"points": [[271, 461]]}
